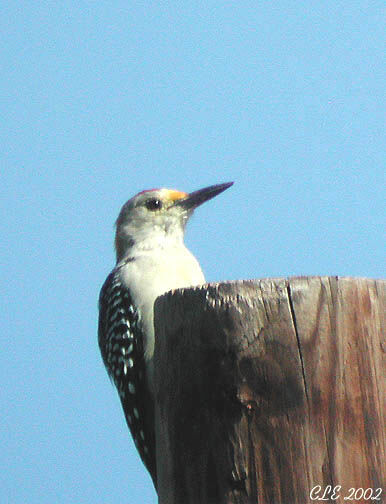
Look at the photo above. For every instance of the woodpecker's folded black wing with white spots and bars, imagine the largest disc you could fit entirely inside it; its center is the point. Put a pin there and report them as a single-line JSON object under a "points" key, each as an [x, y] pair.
{"points": [[121, 345]]}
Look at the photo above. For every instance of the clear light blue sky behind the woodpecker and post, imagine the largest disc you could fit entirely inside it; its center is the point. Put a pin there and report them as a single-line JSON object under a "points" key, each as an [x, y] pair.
{"points": [[100, 100]]}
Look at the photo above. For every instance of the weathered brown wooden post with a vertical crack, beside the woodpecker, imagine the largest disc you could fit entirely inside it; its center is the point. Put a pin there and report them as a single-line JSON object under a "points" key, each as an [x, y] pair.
{"points": [[271, 392]]}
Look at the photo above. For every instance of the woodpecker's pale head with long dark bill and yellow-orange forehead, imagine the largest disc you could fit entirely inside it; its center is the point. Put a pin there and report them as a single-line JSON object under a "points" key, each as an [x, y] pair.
{"points": [[157, 217]]}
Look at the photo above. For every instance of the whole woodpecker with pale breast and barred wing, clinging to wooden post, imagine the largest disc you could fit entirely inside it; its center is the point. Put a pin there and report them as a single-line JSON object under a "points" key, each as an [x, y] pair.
{"points": [[151, 259]]}
